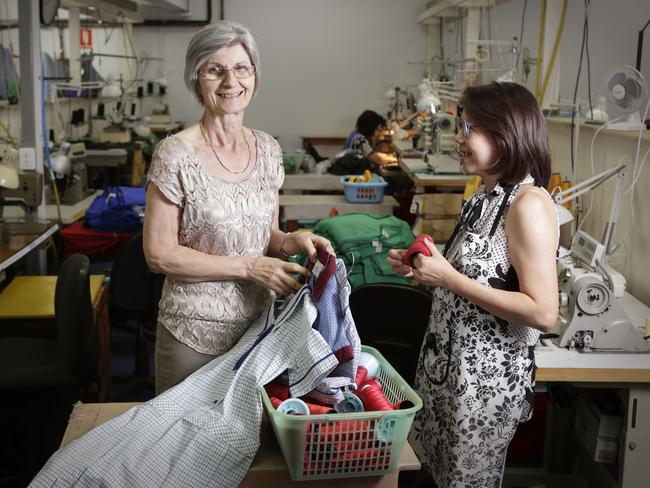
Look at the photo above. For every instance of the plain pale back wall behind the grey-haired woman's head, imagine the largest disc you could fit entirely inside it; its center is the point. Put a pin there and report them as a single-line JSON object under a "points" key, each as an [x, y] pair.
{"points": [[323, 62]]}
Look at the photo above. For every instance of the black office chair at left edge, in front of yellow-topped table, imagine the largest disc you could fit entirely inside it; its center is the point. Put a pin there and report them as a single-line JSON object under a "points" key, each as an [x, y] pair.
{"points": [[41, 379]]}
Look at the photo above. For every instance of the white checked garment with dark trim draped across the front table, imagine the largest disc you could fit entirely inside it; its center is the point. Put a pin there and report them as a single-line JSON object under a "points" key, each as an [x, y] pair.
{"points": [[204, 431]]}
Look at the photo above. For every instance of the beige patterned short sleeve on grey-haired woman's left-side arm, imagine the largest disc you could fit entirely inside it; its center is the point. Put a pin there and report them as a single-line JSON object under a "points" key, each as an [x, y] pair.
{"points": [[164, 171]]}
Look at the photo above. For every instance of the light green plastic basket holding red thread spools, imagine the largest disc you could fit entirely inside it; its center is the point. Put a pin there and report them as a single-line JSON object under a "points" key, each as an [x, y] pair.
{"points": [[345, 445]]}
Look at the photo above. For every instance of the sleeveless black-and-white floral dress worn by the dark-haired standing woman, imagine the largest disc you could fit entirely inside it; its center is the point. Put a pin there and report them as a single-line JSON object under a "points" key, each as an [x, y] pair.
{"points": [[476, 372]]}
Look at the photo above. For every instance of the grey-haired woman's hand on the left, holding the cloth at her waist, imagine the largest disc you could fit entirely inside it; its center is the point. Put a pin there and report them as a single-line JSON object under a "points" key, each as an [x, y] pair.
{"points": [[273, 274]]}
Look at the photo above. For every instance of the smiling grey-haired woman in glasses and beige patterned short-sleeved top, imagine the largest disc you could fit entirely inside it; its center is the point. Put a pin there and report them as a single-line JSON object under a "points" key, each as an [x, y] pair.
{"points": [[211, 224]]}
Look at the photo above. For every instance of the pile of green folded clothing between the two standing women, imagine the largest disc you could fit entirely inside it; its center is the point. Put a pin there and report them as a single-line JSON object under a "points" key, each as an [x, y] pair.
{"points": [[362, 241]]}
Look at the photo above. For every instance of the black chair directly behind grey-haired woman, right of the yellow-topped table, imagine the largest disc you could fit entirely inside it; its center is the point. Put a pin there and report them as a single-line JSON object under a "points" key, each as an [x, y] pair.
{"points": [[134, 295]]}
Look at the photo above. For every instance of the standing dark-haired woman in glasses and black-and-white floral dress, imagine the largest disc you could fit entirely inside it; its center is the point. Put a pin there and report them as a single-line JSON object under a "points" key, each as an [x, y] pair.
{"points": [[494, 290]]}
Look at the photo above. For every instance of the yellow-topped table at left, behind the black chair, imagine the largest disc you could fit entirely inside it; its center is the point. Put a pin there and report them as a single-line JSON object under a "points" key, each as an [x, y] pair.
{"points": [[27, 309]]}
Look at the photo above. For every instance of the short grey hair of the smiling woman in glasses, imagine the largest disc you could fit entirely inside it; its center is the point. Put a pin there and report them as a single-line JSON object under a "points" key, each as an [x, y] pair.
{"points": [[210, 39]]}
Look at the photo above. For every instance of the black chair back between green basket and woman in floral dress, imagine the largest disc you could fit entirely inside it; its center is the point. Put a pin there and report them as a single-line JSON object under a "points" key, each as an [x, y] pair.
{"points": [[392, 318]]}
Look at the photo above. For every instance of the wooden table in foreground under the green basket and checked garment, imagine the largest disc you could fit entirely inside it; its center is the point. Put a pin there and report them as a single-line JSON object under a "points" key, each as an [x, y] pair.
{"points": [[268, 468]]}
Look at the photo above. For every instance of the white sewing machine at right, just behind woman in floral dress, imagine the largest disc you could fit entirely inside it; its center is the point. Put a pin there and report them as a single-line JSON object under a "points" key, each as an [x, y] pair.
{"points": [[591, 316]]}
